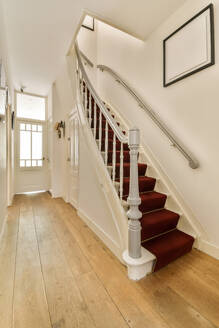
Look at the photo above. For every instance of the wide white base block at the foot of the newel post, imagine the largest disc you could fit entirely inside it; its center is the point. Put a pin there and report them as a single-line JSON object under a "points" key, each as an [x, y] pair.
{"points": [[139, 268]]}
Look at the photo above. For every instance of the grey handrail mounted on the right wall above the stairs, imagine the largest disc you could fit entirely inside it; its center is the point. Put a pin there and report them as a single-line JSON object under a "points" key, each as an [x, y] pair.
{"points": [[193, 162]]}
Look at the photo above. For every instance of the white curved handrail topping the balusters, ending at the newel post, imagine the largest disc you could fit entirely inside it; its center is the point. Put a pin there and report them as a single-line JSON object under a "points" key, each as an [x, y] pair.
{"points": [[119, 134]]}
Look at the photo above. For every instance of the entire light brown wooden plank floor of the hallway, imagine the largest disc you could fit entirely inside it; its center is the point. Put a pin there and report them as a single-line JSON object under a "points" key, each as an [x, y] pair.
{"points": [[54, 272]]}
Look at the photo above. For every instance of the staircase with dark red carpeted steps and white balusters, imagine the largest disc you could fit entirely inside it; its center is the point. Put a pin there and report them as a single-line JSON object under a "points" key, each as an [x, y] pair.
{"points": [[158, 225]]}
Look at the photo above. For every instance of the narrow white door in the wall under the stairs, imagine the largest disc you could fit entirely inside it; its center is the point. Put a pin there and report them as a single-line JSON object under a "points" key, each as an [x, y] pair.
{"points": [[73, 159]]}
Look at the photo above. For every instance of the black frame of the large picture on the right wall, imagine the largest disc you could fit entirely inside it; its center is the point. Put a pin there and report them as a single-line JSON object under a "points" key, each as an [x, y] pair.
{"points": [[210, 7]]}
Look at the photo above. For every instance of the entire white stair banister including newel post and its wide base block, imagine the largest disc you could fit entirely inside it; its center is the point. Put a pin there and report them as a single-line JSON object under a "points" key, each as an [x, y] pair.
{"points": [[135, 256]]}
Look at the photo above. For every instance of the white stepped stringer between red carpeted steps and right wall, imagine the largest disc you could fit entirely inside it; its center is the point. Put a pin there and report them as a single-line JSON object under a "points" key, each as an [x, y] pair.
{"points": [[187, 223]]}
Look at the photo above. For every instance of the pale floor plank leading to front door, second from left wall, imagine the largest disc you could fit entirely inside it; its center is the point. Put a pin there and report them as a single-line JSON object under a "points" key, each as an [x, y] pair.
{"points": [[30, 305]]}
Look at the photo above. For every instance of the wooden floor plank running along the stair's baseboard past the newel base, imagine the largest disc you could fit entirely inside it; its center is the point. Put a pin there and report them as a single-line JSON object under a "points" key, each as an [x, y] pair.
{"points": [[136, 311]]}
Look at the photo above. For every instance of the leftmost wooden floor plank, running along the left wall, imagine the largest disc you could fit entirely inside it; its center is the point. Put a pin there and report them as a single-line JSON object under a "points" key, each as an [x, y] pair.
{"points": [[7, 267]]}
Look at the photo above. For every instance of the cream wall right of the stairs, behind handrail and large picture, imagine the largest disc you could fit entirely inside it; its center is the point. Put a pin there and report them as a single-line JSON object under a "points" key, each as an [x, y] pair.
{"points": [[189, 108]]}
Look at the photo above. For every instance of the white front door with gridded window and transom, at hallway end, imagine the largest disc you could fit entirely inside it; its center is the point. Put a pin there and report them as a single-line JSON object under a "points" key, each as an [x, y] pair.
{"points": [[31, 158]]}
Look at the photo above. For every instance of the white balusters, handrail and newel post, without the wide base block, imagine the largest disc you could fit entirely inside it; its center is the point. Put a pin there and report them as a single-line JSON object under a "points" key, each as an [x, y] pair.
{"points": [[133, 200]]}
